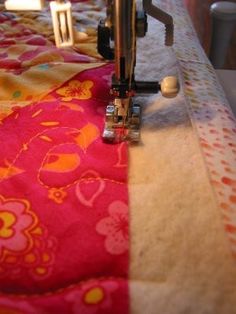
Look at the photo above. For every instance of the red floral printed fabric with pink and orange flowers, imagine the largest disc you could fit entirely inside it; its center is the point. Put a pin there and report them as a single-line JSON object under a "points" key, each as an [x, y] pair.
{"points": [[64, 243]]}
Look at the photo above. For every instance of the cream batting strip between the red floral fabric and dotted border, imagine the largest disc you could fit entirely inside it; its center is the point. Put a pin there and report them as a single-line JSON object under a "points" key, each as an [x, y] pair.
{"points": [[181, 261]]}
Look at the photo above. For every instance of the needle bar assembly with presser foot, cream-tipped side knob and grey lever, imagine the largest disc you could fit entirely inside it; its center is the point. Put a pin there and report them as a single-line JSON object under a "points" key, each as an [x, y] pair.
{"points": [[121, 27]]}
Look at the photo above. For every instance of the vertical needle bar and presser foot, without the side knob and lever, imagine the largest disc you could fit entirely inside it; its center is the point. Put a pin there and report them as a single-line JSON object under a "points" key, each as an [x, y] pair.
{"points": [[122, 117]]}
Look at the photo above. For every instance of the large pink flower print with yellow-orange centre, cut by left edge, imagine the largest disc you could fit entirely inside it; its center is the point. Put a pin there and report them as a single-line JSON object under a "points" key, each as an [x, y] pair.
{"points": [[16, 221]]}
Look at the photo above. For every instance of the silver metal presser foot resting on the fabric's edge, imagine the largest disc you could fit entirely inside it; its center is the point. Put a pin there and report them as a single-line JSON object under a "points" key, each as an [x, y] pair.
{"points": [[122, 123]]}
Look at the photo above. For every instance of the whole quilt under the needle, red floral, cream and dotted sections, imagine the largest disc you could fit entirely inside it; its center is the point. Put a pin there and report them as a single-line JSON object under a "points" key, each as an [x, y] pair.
{"points": [[89, 227]]}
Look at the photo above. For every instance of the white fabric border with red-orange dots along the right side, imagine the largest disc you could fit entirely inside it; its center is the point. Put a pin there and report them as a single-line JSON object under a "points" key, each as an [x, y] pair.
{"points": [[210, 114]]}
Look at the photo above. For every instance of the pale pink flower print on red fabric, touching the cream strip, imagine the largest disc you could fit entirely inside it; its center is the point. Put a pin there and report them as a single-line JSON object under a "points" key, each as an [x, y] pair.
{"points": [[115, 228]]}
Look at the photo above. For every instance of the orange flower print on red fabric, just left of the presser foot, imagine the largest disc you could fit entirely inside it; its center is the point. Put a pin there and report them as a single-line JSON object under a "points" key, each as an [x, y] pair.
{"points": [[76, 90]]}
